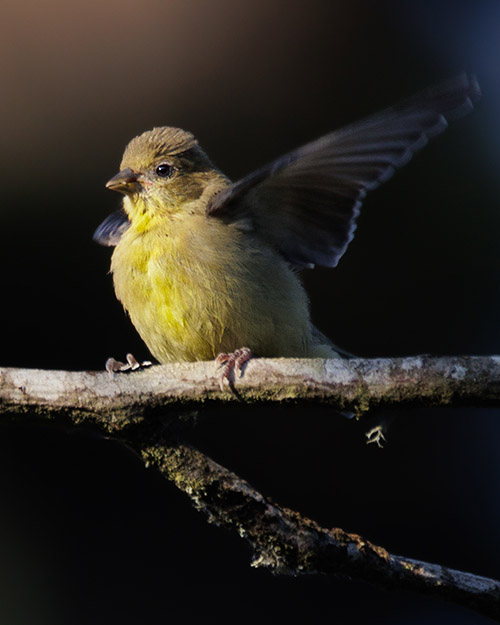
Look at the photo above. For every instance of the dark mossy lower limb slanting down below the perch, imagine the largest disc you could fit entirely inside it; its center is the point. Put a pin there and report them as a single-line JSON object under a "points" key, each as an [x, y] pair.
{"points": [[287, 543]]}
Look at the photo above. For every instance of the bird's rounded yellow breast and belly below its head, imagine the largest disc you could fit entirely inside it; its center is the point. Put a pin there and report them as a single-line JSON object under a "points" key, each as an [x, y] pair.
{"points": [[195, 287]]}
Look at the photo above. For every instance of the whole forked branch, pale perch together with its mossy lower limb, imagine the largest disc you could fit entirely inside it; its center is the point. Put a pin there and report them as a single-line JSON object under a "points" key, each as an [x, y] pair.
{"points": [[282, 540]]}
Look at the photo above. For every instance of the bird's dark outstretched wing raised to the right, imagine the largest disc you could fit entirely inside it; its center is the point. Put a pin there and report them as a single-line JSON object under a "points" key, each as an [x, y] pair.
{"points": [[305, 203]]}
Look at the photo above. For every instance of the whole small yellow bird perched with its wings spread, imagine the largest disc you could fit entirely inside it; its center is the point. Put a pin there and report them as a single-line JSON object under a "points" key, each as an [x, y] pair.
{"points": [[208, 268]]}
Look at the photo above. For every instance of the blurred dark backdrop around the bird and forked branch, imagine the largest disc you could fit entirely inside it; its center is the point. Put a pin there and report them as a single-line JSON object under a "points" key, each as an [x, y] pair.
{"points": [[87, 534]]}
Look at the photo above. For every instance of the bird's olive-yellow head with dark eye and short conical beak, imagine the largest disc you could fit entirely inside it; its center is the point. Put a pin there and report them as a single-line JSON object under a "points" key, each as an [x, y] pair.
{"points": [[162, 171]]}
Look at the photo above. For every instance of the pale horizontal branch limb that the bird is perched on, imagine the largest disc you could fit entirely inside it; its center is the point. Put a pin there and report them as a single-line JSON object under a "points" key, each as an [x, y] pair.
{"points": [[356, 385]]}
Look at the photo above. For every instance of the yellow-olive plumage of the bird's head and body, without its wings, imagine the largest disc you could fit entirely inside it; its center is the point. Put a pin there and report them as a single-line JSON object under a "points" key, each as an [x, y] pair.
{"points": [[193, 285]]}
